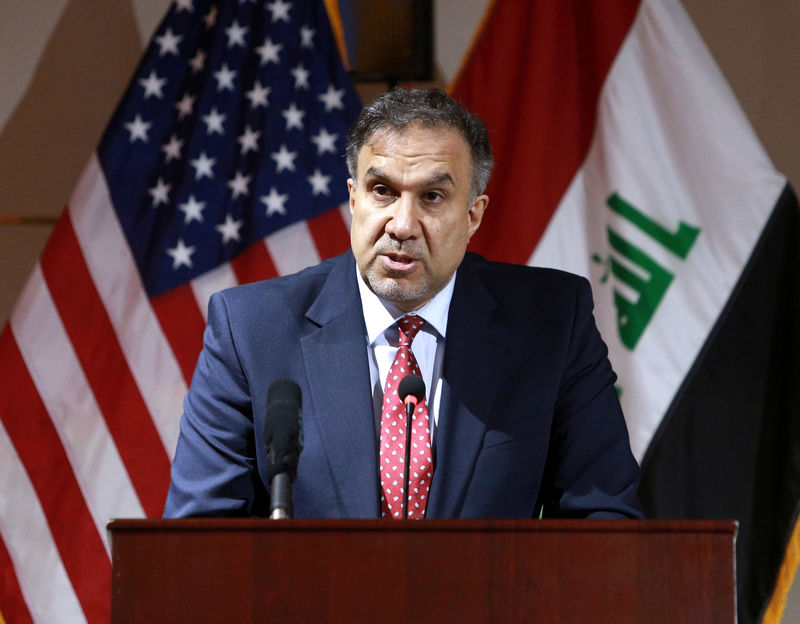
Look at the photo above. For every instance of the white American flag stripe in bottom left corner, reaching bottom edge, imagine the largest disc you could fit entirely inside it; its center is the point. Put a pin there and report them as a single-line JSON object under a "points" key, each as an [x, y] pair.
{"points": [[40, 572]]}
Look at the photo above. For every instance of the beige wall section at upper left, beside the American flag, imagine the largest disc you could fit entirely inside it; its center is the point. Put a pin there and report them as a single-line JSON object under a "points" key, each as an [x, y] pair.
{"points": [[63, 66]]}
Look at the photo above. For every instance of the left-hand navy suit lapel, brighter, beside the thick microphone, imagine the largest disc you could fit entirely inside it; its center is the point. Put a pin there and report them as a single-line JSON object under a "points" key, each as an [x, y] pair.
{"points": [[335, 357]]}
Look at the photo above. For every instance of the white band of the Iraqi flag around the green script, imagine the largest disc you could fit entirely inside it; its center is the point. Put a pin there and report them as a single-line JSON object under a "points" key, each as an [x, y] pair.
{"points": [[672, 140]]}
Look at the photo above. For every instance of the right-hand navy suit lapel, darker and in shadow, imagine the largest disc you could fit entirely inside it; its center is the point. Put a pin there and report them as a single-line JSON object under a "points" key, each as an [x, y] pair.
{"points": [[471, 377]]}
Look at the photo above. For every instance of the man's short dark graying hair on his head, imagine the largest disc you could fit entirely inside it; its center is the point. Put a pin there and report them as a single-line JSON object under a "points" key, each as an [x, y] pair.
{"points": [[432, 108]]}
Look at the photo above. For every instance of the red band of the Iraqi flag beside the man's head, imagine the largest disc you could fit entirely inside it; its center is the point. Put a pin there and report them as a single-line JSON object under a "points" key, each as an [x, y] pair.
{"points": [[535, 76]]}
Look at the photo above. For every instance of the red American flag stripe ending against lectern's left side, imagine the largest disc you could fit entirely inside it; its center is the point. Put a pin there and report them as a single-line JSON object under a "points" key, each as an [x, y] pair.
{"points": [[39, 447]]}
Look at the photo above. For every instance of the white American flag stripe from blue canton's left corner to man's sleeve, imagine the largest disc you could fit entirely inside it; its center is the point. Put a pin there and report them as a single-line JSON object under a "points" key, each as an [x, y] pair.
{"points": [[111, 264]]}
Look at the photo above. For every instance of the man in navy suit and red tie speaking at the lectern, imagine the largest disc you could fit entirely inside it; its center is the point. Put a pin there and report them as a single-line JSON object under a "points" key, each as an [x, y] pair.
{"points": [[520, 415]]}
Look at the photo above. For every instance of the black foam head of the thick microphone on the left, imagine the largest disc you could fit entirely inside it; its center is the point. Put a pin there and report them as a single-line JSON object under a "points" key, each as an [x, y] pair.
{"points": [[283, 427]]}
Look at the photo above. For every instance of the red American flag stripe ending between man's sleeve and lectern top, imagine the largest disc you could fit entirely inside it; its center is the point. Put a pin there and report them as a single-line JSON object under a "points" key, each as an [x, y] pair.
{"points": [[95, 342]]}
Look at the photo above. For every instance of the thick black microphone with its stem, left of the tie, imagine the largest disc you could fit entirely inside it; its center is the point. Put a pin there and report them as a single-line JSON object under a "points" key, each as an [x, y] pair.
{"points": [[283, 435]]}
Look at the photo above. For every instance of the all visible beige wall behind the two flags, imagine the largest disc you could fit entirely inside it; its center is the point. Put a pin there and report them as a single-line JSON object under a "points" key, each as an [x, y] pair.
{"points": [[64, 65]]}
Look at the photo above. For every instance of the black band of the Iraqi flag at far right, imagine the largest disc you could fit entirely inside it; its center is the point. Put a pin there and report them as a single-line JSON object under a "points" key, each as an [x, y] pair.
{"points": [[729, 445]]}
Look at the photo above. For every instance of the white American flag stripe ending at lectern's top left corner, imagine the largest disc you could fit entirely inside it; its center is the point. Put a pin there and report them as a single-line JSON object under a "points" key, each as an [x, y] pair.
{"points": [[65, 392]]}
